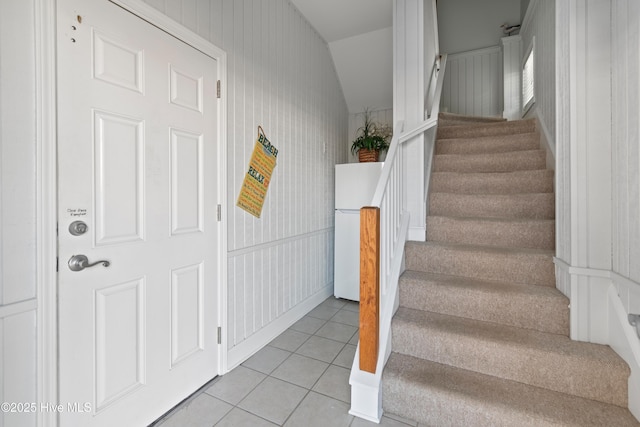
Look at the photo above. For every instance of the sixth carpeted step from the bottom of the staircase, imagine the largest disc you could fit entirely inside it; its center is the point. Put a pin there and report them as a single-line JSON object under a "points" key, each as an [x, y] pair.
{"points": [[531, 206]]}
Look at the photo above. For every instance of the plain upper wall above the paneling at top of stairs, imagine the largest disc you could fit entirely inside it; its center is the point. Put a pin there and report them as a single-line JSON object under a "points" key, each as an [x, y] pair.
{"points": [[467, 25]]}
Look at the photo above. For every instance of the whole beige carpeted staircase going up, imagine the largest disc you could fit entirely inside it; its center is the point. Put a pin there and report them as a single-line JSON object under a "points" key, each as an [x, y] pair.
{"points": [[481, 334]]}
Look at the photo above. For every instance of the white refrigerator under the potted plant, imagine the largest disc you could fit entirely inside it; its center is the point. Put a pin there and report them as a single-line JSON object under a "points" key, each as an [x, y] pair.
{"points": [[355, 185]]}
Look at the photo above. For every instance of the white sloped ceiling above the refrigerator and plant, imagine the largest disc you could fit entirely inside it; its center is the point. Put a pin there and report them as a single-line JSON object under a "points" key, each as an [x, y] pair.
{"points": [[359, 36]]}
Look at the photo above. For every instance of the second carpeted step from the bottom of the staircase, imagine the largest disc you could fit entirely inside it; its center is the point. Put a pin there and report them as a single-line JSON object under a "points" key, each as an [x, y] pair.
{"points": [[544, 360]]}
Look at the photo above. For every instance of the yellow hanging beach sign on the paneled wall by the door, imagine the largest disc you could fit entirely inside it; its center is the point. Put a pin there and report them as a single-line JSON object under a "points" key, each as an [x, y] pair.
{"points": [[256, 181]]}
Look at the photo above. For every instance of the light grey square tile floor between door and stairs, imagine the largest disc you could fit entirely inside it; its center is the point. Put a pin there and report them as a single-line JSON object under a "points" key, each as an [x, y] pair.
{"points": [[300, 379]]}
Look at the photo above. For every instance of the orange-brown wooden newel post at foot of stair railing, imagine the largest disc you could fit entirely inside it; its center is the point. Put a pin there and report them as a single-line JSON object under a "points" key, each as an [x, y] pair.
{"points": [[369, 287]]}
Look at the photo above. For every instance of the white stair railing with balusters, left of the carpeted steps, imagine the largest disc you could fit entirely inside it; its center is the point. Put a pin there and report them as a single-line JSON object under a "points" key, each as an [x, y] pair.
{"points": [[393, 228]]}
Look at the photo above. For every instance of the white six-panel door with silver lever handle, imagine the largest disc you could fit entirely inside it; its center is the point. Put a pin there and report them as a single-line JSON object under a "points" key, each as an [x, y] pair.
{"points": [[137, 165]]}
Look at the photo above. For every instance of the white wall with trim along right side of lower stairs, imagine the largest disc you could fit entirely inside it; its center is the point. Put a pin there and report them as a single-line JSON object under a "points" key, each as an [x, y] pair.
{"points": [[598, 172]]}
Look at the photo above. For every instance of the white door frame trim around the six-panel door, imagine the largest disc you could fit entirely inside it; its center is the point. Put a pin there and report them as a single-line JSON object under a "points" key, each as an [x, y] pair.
{"points": [[46, 190]]}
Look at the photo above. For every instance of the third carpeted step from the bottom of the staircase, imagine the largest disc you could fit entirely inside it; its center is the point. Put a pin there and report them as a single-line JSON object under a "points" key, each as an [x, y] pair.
{"points": [[540, 308]]}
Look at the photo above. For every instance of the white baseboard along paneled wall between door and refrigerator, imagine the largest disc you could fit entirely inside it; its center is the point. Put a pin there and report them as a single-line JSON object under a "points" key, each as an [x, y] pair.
{"points": [[264, 336]]}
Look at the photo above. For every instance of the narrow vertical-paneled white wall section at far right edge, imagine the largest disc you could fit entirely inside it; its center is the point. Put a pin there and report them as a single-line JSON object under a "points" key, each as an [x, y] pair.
{"points": [[625, 85]]}
